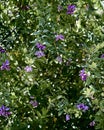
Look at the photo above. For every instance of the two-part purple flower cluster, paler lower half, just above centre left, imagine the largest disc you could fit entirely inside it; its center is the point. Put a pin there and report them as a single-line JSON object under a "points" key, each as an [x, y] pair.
{"points": [[40, 53]]}
